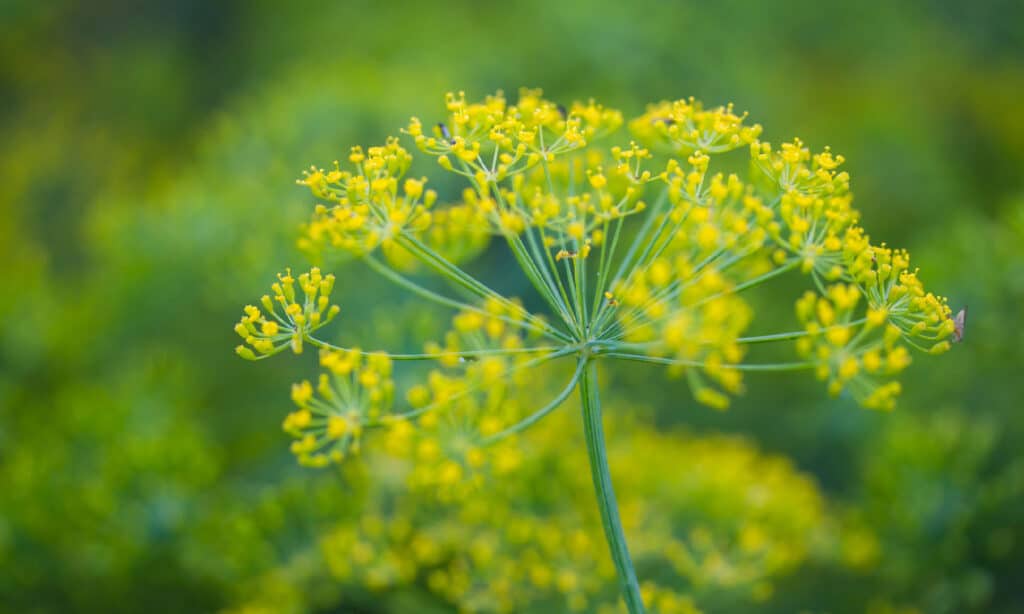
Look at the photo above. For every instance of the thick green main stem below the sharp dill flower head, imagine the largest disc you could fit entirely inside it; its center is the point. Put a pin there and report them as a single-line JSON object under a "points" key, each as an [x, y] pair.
{"points": [[594, 432]]}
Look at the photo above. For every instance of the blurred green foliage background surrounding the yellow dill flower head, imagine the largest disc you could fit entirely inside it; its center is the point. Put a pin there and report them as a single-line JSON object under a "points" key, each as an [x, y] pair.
{"points": [[148, 158]]}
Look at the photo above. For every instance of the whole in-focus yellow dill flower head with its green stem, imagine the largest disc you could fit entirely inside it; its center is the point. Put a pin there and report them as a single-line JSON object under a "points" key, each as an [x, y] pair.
{"points": [[639, 248]]}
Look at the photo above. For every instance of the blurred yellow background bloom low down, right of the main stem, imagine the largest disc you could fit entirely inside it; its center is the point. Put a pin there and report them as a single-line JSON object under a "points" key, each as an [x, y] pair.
{"points": [[726, 476]]}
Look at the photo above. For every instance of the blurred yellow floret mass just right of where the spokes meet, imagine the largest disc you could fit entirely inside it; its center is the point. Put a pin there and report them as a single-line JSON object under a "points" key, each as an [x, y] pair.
{"points": [[682, 303]]}
